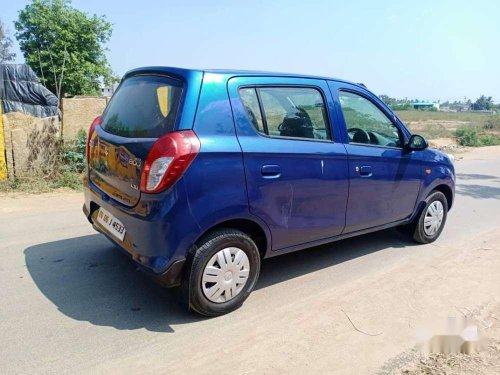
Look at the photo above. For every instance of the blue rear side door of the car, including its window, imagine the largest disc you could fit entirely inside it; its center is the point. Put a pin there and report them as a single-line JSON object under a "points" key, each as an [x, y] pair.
{"points": [[296, 173]]}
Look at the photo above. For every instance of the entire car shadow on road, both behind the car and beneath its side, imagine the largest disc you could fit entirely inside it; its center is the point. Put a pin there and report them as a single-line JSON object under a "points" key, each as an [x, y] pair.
{"points": [[90, 280]]}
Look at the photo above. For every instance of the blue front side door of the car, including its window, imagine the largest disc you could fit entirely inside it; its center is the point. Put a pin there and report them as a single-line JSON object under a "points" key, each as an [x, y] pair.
{"points": [[384, 178]]}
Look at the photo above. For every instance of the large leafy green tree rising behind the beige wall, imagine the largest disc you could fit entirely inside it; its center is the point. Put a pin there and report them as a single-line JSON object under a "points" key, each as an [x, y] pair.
{"points": [[65, 46]]}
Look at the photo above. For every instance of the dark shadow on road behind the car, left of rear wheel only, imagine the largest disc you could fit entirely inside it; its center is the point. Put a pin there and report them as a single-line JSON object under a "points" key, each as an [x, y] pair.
{"points": [[88, 279]]}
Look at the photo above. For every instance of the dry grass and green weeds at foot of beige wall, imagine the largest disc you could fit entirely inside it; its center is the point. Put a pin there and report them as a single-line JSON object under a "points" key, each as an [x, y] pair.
{"points": [[65, 173]]}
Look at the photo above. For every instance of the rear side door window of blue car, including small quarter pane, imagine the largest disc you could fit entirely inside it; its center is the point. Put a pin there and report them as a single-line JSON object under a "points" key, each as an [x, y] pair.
{"points": [[290, 112]]}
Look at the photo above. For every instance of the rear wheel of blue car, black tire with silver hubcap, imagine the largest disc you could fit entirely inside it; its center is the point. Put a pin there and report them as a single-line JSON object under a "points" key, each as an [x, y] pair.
{"points": [[220, 250]]}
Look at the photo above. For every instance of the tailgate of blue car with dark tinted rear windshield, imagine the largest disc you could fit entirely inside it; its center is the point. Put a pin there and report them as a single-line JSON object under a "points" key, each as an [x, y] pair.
{"points": [[143, 109]]}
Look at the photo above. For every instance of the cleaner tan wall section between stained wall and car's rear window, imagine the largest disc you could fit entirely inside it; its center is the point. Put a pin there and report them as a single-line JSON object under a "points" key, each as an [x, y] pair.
{"points": [[79, 112]]}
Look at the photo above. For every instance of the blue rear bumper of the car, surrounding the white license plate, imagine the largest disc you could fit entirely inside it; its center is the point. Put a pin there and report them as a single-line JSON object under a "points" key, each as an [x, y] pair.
{"points": [[149, 240]]}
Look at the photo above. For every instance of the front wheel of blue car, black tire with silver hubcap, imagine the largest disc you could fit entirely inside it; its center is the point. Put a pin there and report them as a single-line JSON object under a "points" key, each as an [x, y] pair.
{"points": [[420, 230]]}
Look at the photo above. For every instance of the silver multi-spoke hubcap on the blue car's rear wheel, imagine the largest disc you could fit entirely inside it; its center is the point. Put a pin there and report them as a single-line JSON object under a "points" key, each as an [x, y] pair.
{"points": [[225, 274]]}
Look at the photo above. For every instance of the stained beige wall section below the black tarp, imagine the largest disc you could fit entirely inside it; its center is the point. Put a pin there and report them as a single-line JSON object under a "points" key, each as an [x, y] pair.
{"points": [[30, 142]]}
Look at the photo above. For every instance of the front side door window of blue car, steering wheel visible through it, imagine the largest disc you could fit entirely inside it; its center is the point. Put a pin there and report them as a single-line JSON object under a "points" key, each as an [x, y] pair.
{"points": [[366, 123]]}
